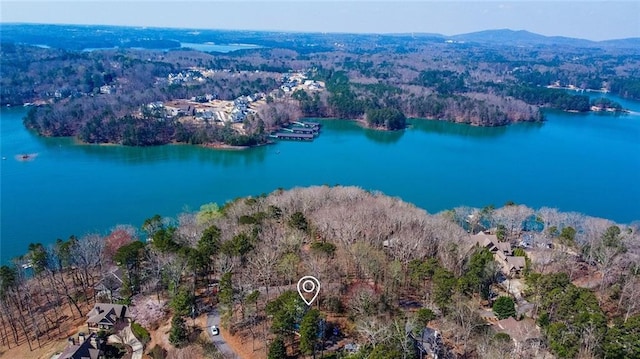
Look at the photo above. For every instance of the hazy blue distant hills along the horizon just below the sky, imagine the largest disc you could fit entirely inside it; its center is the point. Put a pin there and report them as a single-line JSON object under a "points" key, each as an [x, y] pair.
{"points": [[78, 37]]}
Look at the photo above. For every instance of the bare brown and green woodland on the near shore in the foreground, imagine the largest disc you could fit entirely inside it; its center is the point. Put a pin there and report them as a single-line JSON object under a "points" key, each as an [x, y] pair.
{"points": [[389, 271]]}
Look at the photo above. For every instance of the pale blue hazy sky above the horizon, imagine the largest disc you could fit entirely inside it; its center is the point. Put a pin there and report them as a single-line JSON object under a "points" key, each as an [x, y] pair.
{"points": [[593, 20]]}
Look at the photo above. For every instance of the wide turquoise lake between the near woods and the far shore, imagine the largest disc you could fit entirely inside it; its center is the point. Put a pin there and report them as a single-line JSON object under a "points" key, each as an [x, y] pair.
{"points": [[588, 163]]}
